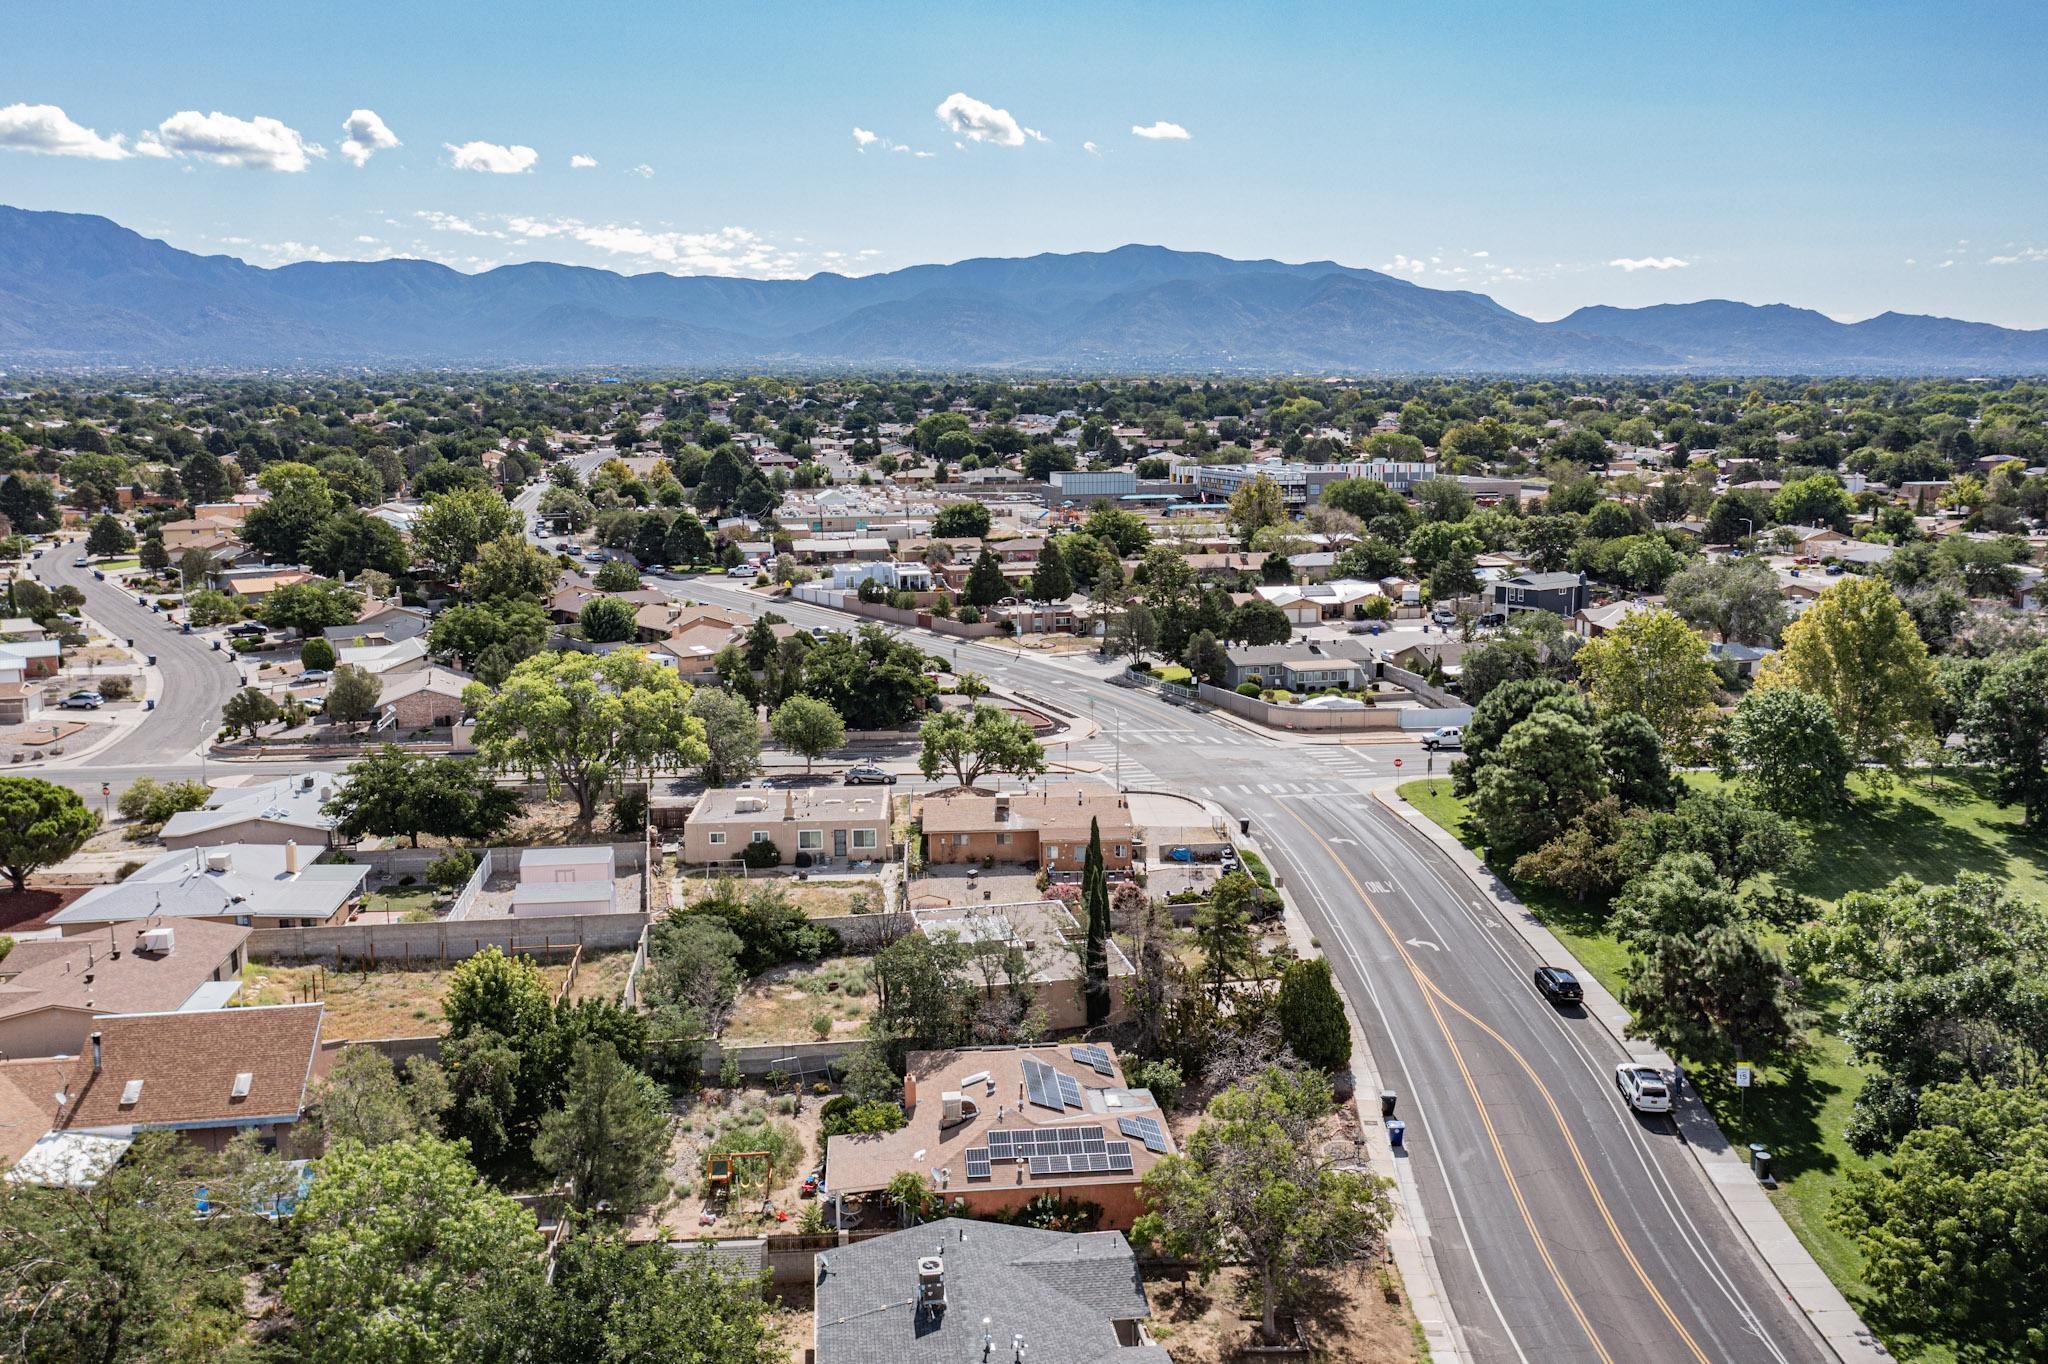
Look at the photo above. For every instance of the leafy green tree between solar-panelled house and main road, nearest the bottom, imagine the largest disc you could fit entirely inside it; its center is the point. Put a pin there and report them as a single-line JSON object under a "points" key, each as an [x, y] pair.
{"points": [[1254, 1187]]}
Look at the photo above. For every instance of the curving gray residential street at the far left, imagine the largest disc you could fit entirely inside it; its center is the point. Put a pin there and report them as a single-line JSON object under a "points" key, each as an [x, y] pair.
{"points": [[198, 681]]}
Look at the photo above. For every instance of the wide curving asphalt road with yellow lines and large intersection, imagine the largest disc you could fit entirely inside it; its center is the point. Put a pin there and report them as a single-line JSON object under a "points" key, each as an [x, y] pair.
{"points": [[1566, 1228]]}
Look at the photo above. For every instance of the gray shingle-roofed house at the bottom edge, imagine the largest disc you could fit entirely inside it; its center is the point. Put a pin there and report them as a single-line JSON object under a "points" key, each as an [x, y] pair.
{"points": [[964, 1289]]}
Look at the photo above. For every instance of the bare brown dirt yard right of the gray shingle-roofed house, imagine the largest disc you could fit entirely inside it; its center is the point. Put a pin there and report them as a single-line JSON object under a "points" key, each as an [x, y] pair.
{"points": [[1355, 1316]]}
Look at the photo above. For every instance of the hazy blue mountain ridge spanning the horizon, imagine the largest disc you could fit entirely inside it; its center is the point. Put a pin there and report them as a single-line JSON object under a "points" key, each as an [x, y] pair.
{"points": [[81, 292]]}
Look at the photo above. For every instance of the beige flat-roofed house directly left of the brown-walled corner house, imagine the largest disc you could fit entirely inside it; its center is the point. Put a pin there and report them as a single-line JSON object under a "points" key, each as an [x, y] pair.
{"points": [[810, 828]]}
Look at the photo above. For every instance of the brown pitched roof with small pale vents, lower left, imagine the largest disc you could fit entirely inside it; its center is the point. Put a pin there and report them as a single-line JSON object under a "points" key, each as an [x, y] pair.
{"points": [[189, 1066]]}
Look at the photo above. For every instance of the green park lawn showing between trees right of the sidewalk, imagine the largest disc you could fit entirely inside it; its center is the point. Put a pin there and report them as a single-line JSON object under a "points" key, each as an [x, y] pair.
{"points": [[1932, 828]]}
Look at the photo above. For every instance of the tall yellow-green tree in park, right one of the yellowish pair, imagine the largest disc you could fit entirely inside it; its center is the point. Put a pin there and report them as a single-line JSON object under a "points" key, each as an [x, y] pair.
{"points": [[1857, 650]]}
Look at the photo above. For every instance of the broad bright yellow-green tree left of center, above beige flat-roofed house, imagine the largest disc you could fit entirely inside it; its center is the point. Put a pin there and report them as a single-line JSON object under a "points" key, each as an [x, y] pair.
{"points": [[581, 720]]}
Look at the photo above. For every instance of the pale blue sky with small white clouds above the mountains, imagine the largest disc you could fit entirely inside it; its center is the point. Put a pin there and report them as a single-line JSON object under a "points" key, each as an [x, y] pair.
{"points": [[1848, 159]]}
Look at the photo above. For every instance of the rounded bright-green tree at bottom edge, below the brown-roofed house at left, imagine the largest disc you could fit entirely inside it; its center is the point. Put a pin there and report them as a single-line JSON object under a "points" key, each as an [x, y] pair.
{"points": [[409, 1256]]}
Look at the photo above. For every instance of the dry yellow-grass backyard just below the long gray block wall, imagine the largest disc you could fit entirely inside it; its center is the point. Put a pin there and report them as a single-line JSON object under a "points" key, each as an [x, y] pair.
{"points": [[394, 1003]]}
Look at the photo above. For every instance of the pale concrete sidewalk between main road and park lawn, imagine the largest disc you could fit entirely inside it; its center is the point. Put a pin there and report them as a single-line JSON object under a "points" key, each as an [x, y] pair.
{"points": [[1725, 1168]]}
